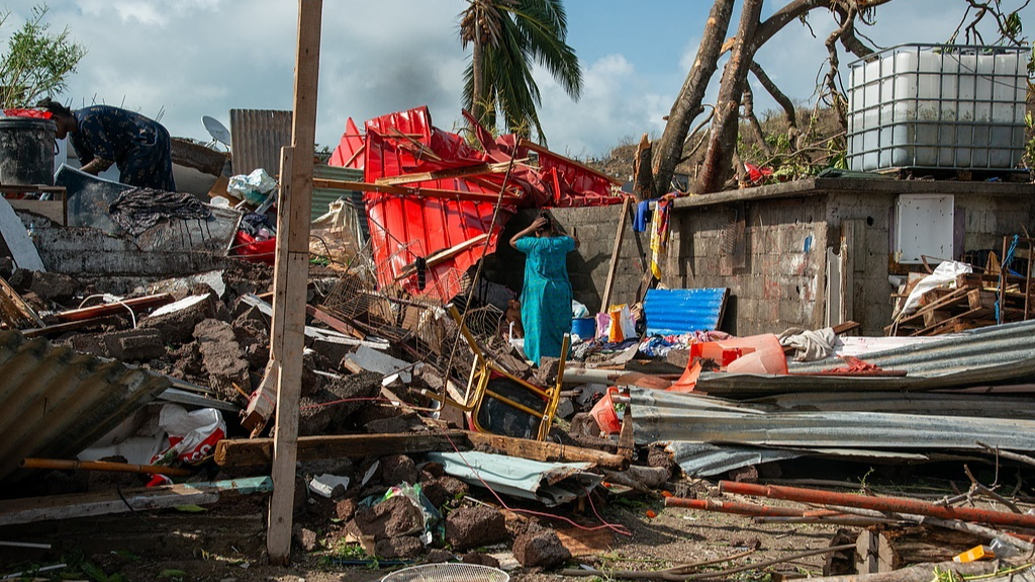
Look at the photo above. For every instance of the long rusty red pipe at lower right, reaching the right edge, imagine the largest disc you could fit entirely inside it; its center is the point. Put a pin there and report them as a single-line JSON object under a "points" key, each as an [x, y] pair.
{"points": [[880, 504]]}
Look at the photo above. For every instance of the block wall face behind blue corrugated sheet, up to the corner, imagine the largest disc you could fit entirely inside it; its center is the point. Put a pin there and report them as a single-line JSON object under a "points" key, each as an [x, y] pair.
{"points": [[781, 283]]}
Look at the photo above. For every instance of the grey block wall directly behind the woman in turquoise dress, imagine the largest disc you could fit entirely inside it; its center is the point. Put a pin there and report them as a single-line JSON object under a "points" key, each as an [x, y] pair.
{"points": [[588, 267]]}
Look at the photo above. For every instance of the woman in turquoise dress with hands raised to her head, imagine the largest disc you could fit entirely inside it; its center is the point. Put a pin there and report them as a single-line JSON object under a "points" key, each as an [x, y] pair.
{"points": [[546, 298]]}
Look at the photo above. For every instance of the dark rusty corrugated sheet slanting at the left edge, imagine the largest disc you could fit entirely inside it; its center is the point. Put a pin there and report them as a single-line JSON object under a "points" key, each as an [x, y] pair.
{"points": [[55, 402]]}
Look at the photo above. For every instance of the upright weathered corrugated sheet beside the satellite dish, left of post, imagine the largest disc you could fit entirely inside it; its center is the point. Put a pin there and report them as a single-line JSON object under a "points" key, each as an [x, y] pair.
{"points": [[258, 136]]}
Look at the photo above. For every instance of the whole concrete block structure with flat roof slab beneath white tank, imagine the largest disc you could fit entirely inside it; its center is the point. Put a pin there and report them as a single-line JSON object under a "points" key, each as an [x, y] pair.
{"points": [[783, 281]]}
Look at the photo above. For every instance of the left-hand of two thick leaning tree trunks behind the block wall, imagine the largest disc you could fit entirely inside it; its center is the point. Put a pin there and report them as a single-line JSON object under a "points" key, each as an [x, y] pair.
{"points": [[688, 106]]}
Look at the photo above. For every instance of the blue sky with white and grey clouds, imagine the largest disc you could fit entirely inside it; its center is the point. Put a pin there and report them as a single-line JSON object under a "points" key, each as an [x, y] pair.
{"points": [[182, 60]]}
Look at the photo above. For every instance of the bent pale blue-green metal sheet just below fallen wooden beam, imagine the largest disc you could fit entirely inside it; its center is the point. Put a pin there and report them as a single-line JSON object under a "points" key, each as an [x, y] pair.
{"points": [[550, 483]]}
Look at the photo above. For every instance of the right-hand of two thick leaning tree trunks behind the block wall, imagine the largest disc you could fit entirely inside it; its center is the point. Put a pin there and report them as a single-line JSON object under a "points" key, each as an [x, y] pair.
{"points": [[723, 141]]}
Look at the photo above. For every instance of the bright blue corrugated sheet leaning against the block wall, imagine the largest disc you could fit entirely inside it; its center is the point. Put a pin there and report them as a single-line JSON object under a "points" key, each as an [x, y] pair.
{"points": [[671, 312]]}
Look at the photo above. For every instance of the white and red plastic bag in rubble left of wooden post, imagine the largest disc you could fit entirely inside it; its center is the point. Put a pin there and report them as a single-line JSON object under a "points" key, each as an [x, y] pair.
{"points": [[192, 435]]}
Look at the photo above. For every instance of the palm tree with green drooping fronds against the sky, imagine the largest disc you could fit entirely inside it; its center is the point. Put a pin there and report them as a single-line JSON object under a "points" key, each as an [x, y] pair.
{"points": [[509, 37]]}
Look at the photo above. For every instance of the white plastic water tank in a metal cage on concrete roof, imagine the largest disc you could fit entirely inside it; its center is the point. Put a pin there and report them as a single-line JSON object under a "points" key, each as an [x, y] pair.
{"points": [[935, 107]]}
